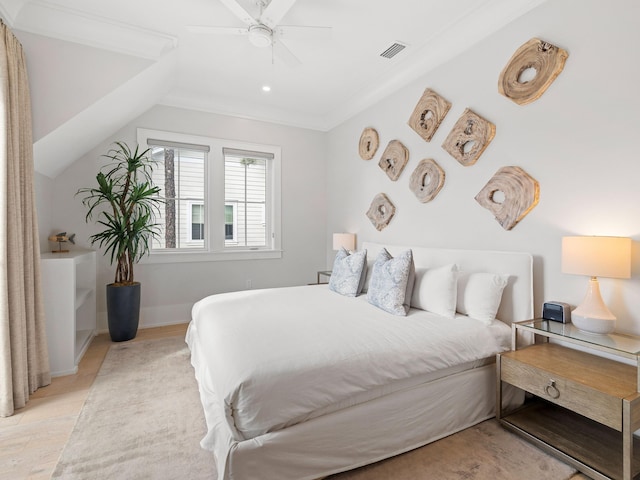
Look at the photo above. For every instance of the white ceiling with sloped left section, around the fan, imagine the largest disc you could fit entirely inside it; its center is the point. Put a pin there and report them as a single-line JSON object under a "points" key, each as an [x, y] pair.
{"points": [[94, 65]]}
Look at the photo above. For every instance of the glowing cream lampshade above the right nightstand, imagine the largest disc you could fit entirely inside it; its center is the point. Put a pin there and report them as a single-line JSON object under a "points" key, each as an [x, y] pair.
{"points": [[597, 256]]}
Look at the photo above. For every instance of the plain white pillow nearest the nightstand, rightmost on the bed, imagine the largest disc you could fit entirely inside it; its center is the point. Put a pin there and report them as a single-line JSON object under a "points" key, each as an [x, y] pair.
{"points": [[479, 295]]}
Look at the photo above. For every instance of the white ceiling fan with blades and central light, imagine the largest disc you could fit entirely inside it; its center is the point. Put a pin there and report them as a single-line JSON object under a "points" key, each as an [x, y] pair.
{"points": [[263, 30]]}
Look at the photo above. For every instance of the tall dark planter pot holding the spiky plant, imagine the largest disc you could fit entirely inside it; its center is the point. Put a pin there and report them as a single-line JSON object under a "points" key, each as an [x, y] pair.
{"points": [[123, 311]]}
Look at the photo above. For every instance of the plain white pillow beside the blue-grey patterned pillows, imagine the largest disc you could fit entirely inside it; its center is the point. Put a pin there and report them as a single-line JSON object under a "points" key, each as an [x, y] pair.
{"points": [[435, 290]]}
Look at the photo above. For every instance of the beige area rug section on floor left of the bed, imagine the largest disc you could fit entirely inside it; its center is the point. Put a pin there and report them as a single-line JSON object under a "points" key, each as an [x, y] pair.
{"points": [[142, 418]]}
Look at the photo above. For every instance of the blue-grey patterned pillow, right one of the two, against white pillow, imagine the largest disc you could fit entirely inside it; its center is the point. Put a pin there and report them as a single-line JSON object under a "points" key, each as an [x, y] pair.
{"points": [[391, 283]]}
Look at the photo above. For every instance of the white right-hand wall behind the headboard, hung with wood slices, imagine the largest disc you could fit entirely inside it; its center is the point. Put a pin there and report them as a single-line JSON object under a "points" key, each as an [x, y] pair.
{"points": [[577, 140]]}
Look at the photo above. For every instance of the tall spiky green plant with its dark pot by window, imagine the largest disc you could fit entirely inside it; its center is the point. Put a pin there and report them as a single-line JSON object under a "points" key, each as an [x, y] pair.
{"points": [[125, 201]]}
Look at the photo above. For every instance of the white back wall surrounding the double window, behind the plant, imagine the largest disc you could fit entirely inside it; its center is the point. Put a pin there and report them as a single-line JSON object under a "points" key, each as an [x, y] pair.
{"points": [[169, 290]]}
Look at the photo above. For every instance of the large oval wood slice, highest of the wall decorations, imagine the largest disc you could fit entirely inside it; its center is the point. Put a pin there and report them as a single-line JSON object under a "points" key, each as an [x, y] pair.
{"points": [[537, 58]]}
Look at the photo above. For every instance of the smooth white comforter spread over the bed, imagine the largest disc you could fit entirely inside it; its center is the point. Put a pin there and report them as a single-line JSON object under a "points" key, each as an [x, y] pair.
{"points": [[273, 358]]}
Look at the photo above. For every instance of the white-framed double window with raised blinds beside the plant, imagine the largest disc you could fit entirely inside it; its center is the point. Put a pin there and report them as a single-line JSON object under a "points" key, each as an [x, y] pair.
{"points": [[221, 197]]}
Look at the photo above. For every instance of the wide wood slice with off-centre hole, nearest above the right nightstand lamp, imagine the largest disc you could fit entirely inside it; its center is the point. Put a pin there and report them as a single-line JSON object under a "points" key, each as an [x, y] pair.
{"points": [[519, 194]]}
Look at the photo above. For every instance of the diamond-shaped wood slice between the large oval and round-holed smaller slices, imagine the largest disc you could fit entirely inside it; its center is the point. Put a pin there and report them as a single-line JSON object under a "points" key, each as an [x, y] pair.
{"points": [[469, 137]]}
